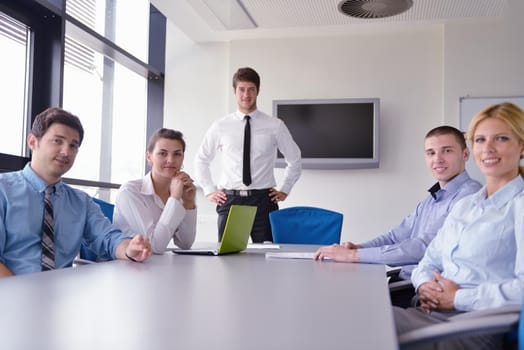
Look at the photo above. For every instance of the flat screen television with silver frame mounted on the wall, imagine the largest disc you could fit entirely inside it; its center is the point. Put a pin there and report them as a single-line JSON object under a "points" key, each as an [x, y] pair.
{"points": [[333, 134]]}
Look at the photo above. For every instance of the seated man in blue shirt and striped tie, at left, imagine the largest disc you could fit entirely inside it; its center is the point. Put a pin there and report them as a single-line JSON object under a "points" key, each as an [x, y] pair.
{"points": [[54, 140]]}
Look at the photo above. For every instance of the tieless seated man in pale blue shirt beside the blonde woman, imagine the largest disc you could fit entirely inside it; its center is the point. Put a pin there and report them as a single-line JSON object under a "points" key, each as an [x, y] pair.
{"points": [[446, 154]]}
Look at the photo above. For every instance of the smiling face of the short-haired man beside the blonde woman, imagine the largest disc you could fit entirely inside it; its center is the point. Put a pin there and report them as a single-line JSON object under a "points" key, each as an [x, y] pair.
{"points": [[445, 157]]}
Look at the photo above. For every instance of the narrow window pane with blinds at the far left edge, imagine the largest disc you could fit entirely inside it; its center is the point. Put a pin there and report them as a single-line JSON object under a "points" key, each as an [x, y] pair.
{"points": [[15, 45]]}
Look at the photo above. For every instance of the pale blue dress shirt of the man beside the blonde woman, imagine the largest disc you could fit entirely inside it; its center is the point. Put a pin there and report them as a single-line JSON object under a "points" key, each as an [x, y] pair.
{"points": [[405, 244]]}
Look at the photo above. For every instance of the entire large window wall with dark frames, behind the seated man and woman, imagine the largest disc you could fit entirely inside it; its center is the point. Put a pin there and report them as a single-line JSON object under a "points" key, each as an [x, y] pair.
{"points": [[99, 69]]}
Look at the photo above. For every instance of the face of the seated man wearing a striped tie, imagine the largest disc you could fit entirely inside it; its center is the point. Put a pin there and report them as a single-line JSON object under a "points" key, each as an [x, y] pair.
{"points": [[55, 152]]}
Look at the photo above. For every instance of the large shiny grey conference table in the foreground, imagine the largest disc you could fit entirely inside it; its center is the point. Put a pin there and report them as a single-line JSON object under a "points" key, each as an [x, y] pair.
{"points": [[239, 301]]}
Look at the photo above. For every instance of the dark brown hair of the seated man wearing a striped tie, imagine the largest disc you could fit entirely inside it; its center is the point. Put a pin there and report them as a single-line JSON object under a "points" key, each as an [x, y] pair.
{"points": [[44, 120]]}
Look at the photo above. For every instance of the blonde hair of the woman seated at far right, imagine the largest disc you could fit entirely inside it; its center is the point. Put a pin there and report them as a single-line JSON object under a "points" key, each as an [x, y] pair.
{"points": [[509, 113]]}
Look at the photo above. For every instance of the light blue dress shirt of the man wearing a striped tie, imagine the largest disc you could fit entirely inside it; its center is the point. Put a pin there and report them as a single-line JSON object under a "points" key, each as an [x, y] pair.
{"points": [[76, 218]]}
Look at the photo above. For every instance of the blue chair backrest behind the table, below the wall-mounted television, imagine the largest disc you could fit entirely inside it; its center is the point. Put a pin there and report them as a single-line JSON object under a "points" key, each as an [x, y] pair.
{"points": [[306, 225]]}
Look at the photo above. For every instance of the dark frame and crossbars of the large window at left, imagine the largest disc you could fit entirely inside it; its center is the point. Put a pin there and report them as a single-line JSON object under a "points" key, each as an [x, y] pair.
{"points": [[49, 22]]}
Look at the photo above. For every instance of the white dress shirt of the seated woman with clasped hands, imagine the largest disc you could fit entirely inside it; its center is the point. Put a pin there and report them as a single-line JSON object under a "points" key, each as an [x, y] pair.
{"points": [[138, 209]]}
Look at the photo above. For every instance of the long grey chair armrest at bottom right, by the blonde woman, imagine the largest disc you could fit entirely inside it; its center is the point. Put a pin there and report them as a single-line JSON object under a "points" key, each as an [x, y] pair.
{"points": [[468, 326]]}
